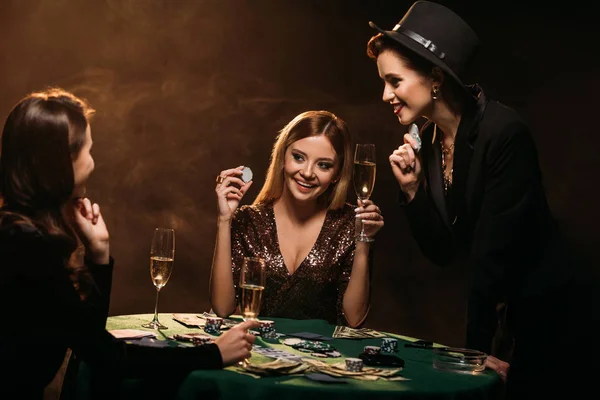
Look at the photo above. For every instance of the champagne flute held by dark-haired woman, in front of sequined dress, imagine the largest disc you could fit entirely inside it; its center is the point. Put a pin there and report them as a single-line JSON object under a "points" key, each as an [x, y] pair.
{"points": [[252, 283]]}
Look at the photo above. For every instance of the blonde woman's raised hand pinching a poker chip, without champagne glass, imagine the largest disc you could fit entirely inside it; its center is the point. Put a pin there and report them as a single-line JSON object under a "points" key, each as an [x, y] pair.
{"points": [[230, 190]]}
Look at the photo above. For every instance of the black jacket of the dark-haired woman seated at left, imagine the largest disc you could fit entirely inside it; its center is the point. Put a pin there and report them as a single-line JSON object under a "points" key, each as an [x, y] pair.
{"points": [[44, 315]]}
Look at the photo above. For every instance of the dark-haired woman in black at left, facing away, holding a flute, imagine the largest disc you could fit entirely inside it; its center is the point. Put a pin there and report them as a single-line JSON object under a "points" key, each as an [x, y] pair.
{"points": [[53, 300]]}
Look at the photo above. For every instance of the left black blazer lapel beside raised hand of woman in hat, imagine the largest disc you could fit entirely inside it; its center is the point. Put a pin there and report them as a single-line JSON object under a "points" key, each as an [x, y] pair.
{"points": [[434, 166]]}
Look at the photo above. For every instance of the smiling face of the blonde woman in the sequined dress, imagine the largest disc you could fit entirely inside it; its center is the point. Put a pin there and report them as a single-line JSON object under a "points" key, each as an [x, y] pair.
{"points": [[310, 167]]}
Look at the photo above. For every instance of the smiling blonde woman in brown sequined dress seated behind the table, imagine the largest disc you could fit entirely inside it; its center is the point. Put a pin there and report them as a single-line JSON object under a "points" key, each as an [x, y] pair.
{"points": [[301, 225]]}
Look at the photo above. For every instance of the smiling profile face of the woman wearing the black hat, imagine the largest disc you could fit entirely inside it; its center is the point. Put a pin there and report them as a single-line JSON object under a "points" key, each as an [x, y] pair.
{"points": [[408, 91]]}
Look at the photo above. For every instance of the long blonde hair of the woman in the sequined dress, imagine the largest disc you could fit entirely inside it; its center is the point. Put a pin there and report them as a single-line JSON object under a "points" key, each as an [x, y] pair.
{"points": [[307, 124]]}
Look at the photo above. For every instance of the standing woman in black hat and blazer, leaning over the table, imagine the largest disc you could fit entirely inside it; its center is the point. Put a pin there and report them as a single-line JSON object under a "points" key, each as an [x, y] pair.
{"points": [[472, 188]]}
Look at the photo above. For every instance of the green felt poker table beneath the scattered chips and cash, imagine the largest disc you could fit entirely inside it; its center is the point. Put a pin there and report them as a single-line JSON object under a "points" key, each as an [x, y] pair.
{"points": [[425, 382]]}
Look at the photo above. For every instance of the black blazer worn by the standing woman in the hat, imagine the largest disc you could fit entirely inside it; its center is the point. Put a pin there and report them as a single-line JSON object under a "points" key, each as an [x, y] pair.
{"points": [[495, 214]]}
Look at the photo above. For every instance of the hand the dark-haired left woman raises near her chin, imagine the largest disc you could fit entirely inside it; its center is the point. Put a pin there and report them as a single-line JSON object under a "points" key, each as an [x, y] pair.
{"points": [[91, 229]]}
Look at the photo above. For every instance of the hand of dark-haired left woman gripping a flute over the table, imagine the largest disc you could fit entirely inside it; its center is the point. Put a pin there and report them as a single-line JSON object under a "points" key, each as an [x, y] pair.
{"points": [[236, 343]]}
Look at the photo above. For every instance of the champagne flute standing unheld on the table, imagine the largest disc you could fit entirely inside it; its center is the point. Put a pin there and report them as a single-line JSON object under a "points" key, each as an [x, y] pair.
{"points": [[162, 254]]}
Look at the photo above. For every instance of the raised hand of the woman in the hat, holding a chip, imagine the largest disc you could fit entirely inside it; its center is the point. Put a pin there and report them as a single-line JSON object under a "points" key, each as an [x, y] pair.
{"points": [[406, 166]]}
